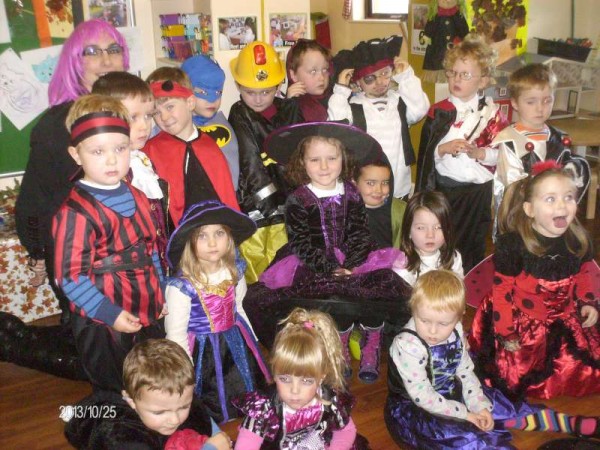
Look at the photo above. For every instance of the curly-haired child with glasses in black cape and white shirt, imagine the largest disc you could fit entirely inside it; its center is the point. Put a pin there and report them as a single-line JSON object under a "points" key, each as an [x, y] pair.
{"points": [[455, 156]]}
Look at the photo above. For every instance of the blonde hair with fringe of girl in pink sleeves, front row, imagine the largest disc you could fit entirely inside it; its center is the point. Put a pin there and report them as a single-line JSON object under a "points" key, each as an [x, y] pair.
{"points": [[309, 345]]}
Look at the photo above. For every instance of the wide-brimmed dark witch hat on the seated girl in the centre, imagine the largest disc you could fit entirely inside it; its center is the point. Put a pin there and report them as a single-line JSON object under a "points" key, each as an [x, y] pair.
{"points": [[362, 147]]}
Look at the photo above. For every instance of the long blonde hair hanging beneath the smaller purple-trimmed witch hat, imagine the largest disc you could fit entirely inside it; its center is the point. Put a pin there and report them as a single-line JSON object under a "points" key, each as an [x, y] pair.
{"points": [[191, 266]]}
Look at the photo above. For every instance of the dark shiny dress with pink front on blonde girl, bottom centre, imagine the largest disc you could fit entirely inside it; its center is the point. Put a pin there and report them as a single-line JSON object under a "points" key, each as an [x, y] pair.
{"points": [[309, 428]]}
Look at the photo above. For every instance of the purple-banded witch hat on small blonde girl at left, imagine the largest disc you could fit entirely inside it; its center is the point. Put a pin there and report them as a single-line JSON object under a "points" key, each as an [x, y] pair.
{"points": [[211, 212]]}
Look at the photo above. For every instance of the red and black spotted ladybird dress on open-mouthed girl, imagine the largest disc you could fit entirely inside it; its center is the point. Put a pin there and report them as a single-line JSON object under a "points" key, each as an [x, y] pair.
{"points": [[537, 300]]}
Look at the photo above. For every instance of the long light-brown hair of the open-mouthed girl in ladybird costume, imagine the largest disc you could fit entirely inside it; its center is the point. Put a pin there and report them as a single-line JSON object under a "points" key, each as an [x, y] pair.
{"points": [[512, 217]]}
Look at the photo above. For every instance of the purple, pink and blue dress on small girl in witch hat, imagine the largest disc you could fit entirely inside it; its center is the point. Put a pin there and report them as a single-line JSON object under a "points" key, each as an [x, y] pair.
{"points": [[228, 360]]}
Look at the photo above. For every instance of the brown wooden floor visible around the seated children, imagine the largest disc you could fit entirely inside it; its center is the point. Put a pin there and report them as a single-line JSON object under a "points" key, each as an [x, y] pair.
{"points": [[30, 401]]}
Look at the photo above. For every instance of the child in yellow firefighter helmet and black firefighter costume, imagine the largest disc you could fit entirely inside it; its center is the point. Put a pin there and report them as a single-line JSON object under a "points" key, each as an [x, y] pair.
{"points": [[258, 72]]}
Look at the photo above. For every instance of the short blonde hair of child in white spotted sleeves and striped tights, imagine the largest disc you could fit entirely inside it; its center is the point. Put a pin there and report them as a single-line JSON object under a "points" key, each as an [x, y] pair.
{"points": [[441, 290]]}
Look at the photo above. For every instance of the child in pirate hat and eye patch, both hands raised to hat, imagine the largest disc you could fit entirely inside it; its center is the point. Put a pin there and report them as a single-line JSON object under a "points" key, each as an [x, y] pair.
{"points": [[382, 110]]}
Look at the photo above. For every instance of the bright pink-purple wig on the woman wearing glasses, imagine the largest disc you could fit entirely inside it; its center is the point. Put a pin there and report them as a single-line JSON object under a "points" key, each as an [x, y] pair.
{"points": [[65, 84]]}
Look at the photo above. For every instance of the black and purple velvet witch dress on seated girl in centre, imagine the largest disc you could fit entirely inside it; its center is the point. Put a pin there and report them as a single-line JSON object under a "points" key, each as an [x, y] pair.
{"points": [[324, 234]]}
